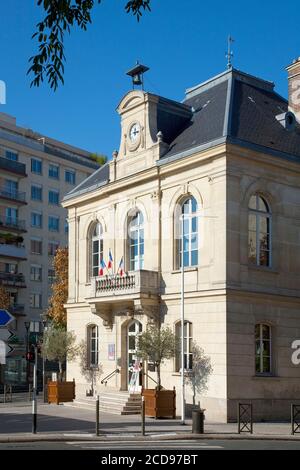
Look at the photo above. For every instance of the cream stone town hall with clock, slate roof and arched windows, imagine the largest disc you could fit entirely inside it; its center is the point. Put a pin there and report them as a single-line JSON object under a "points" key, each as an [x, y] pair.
{"points": [[228, 156]]}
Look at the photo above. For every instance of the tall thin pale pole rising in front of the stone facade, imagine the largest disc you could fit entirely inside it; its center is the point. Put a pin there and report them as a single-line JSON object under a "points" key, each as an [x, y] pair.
{"points": [[183, 217]]}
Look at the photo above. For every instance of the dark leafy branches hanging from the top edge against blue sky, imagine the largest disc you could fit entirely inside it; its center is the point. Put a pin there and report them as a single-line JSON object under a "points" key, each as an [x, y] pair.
{"points": [[60, 17]]}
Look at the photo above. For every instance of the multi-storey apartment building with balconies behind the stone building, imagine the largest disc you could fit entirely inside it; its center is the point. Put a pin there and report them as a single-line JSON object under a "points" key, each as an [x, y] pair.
{"points": [[35, 174]]}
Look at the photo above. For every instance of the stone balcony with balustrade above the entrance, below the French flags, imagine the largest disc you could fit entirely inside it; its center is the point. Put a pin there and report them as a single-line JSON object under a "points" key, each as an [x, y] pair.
{"points": [[135, 291]]}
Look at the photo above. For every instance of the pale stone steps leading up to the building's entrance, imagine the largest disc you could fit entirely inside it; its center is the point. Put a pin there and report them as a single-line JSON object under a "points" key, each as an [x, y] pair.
{"points": [[119, 403]]}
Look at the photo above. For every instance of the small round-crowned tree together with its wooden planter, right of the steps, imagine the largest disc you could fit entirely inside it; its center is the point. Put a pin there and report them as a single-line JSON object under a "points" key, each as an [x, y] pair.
{"points": [[155, 345]]}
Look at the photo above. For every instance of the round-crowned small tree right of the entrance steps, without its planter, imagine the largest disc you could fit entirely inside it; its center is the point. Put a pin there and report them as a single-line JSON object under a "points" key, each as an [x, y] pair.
{"points": [[155, 345]]}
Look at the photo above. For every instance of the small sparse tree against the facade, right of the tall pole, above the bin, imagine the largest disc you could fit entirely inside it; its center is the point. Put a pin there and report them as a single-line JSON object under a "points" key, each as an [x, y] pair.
{"points": [[198, 377]]}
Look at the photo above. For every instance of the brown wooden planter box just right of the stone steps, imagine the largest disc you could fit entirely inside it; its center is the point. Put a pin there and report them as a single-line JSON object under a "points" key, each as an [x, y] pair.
{"points": [[160, 403]]}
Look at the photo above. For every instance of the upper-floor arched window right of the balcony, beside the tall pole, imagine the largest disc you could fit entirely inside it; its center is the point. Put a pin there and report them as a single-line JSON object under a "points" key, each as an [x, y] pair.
{"points": [[190, 233]]}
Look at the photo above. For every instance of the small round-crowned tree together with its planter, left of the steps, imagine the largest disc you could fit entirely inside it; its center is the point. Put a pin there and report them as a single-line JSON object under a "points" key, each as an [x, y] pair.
{"points": [[59, 345]]}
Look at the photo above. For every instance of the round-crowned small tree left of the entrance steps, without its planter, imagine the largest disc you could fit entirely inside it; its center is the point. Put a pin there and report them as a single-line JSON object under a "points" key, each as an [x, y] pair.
{"points": [[59, 345]]}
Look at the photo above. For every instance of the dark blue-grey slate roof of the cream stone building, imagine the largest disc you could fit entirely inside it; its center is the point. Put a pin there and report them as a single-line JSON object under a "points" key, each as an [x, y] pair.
{"points": [[232, 107]]}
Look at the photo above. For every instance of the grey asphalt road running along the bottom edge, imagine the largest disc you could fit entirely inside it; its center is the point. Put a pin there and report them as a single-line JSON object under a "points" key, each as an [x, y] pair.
{"points": [[158, 446]]}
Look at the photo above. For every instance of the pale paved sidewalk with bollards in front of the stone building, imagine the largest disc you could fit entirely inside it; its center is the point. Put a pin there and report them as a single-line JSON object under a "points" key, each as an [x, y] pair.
{"points": [[62, 423]]}
